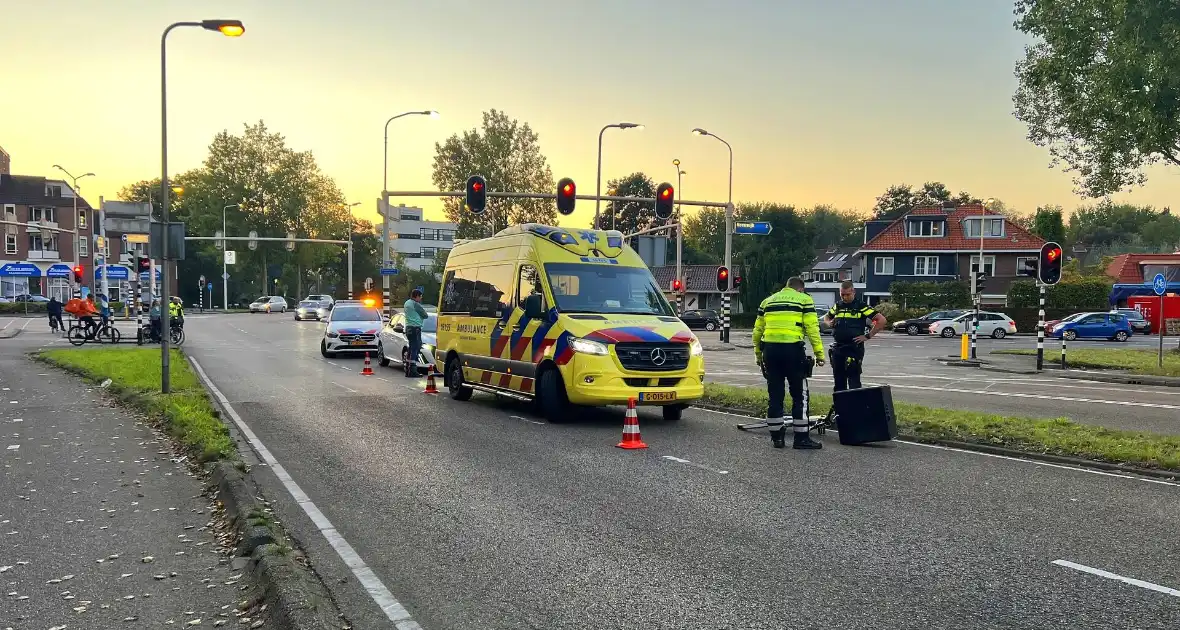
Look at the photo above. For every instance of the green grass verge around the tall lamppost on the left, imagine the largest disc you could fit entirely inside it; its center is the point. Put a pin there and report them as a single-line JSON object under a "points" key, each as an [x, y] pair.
{"points": [[135, 376]]}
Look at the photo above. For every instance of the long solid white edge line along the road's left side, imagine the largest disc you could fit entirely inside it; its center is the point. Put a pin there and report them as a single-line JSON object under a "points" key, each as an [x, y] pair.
{"points": [[394, 609]]}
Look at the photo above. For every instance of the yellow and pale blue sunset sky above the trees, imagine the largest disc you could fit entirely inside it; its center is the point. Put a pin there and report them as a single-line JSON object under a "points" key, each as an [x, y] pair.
{"points": [[824, 101]]}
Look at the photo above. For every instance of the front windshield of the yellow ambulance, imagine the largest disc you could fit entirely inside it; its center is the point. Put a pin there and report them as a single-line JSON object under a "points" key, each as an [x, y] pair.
{"points": [[606, 290]]}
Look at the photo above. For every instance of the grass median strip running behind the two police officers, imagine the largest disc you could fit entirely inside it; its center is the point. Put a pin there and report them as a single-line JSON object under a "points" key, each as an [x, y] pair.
{"points": [[1058, 437]]}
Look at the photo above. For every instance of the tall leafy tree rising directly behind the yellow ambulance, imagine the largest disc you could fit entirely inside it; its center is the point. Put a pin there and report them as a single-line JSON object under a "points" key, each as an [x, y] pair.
{"points": [[508, 154]]}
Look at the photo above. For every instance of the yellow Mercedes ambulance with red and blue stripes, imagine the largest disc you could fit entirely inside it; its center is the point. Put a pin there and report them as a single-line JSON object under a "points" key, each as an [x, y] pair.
{"points": [[562, 317]]}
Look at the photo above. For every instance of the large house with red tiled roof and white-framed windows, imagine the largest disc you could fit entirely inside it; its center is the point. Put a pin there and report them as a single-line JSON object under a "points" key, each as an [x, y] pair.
{"points": [[942, 245]]}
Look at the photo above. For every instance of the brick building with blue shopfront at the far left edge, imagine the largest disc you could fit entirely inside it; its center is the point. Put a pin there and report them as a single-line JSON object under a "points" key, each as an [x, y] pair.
{"points": [[38, 255]]}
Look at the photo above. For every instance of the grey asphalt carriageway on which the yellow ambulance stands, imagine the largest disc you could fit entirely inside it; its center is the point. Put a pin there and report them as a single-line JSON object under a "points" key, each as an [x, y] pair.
{"points": [[478, 515]]}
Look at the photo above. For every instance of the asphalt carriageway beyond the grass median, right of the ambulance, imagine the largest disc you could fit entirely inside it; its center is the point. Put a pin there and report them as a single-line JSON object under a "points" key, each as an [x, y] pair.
{"points": [[907, 365]]}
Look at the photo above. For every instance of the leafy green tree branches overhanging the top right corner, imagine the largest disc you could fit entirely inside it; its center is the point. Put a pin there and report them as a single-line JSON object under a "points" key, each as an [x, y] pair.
{"points": [[1100, 88]]}
